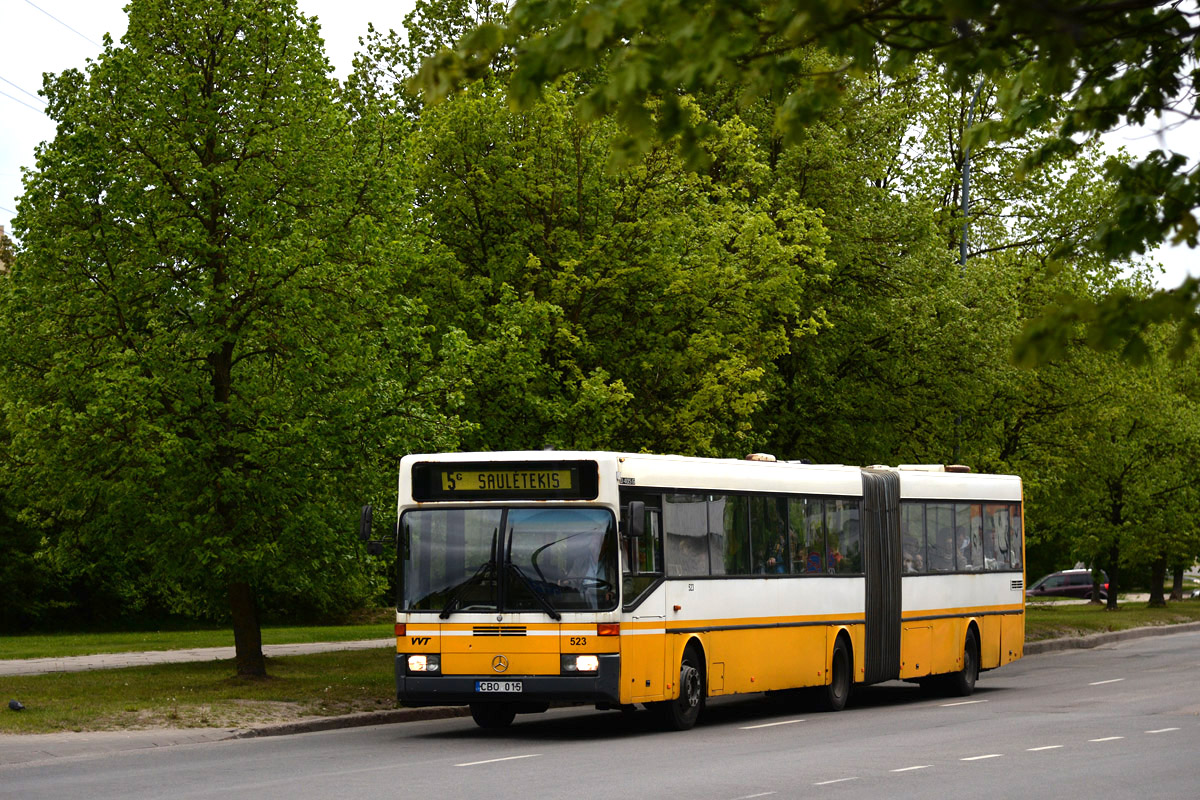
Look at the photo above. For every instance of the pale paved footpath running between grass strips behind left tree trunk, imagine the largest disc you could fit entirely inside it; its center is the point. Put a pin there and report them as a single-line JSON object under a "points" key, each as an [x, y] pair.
{"points": [[118, 660]]}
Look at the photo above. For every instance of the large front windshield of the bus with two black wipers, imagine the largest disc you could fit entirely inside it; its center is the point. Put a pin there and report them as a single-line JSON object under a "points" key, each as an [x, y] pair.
{"points": [[501, 560]]}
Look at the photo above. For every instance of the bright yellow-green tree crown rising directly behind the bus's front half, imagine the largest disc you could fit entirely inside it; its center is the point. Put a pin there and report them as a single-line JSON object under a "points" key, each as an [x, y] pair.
{"points": [[639, 308]]}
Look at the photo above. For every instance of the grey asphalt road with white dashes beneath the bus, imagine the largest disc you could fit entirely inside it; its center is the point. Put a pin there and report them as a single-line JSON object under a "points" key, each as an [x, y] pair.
{"points": [[1123, 720]]}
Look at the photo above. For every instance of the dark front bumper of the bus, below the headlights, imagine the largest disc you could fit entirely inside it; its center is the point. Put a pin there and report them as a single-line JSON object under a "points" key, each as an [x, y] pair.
{"points": [[601, 688]]}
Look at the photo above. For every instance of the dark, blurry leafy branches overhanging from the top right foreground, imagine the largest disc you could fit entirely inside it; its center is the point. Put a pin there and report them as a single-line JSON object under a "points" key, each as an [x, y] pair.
{"points": [[1088, 65]]}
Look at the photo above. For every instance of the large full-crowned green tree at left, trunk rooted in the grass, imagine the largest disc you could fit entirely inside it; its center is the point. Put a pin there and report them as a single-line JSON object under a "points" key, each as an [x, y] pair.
{"points": [[207, 362]]}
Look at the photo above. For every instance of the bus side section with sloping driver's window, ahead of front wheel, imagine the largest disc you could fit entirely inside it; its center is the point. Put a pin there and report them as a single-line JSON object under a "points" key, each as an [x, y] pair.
{"points": [[644, 629]]}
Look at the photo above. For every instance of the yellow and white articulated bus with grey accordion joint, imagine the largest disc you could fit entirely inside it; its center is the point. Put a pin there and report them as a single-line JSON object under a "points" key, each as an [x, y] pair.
{"points": [[615, 580]]}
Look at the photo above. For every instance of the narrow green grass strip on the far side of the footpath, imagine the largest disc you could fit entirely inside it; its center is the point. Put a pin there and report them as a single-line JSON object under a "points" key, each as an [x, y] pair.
{"points": [[57, 646]]}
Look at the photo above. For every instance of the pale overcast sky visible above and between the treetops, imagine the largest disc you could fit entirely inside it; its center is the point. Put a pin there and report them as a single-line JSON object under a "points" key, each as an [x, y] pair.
{"points": [[40, 37]]}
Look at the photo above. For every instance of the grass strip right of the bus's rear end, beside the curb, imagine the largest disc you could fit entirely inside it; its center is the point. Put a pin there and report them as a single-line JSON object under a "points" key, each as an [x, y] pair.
{"points": [[1053, 621]]}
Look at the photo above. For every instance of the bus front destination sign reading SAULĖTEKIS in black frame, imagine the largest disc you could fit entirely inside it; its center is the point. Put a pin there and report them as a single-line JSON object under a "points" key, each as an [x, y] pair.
{"points": [[575, 480]]}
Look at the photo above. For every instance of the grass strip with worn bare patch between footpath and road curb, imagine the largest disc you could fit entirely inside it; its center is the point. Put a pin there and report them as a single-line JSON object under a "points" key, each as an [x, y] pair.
{"points": [[201, 695]]}
